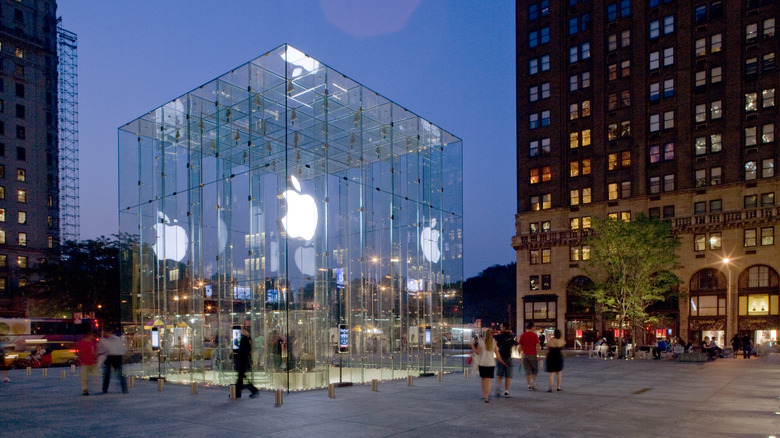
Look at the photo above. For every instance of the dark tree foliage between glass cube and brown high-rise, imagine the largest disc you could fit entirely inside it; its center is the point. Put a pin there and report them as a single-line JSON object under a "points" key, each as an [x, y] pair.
{"points": [[491, 295]]}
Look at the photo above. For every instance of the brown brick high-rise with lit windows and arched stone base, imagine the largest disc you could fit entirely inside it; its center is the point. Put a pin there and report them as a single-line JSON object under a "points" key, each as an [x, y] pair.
{"points": [[661, 107]]}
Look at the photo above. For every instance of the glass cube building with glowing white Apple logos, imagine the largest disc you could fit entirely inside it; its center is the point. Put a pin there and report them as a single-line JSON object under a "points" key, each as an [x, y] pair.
{"points": [[289, 200]]}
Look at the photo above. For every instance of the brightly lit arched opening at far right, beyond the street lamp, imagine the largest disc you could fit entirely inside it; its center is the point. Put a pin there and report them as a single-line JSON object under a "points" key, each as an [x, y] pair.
{"points": [[758, 318]]}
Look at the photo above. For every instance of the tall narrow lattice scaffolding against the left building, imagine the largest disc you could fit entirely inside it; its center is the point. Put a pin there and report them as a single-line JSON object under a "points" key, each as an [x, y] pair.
{"points": [[68, 108]]}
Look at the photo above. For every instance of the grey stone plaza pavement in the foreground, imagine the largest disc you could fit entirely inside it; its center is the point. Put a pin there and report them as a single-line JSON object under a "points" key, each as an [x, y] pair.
{"points": [[638, 398]]}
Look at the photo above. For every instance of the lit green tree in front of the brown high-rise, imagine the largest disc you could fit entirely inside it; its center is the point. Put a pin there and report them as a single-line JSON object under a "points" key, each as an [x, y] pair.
{"points": [[631, 267]]}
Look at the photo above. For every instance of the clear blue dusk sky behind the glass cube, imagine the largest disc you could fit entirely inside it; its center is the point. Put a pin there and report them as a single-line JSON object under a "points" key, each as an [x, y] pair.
{"points": [[451, 62]]}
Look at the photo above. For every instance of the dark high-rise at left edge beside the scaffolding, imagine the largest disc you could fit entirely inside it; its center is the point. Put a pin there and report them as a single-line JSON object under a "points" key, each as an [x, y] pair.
{"points": [[29, 176]]}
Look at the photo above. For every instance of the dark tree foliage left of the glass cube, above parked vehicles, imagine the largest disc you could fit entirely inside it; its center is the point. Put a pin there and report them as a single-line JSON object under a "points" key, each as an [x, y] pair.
{"points": [[85, 278]]}
